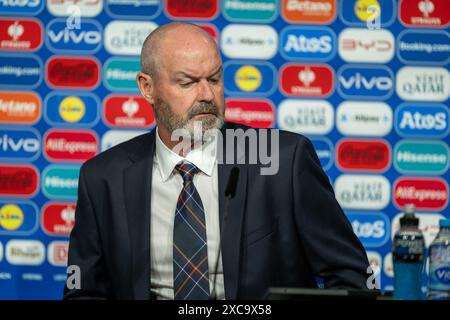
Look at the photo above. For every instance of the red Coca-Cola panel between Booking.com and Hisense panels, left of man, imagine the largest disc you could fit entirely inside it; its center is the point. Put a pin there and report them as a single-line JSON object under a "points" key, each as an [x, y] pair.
{"points": [[73, 72]]}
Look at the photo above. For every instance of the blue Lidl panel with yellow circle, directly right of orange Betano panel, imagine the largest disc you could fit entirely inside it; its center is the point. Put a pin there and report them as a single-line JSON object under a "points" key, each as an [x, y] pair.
{"points": [[64, 110]]}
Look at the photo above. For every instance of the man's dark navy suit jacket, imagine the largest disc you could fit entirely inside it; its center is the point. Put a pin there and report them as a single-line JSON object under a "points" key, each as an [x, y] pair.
{"points": [[281, 230]]}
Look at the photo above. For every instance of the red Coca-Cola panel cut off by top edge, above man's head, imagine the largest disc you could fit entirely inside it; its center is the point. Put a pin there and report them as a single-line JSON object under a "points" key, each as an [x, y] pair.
{"points": [[193, 9]]}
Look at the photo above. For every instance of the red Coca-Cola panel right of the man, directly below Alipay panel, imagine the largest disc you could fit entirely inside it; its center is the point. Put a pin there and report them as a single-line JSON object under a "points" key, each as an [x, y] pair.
{"points": [[363, 155]]}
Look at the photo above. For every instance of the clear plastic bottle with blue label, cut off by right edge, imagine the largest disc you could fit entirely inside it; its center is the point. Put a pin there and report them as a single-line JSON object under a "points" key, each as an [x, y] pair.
{"points": [[439, 264]]}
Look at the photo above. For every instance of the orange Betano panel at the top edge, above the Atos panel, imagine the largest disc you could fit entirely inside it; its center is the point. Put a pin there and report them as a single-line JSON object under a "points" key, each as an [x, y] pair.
{"points": [[307, 11]]}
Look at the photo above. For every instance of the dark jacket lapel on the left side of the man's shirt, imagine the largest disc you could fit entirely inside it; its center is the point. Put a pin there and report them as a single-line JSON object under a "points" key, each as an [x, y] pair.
{"points": [[137, 185]]}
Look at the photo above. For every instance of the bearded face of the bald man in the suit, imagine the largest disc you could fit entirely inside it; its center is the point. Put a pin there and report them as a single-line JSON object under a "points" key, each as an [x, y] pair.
{"points": [[189, 86]]}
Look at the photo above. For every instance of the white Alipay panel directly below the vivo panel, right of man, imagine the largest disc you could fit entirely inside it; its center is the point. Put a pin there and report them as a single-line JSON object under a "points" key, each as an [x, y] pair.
{"points": [[360, 118]]}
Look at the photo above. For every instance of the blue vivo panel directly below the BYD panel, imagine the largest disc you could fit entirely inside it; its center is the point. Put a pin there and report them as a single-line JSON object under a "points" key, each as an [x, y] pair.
{"points": [[366, 82]]}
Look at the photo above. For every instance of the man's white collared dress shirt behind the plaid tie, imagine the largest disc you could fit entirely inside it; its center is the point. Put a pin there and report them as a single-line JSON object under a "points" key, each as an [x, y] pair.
{"points": [[166, 187]]}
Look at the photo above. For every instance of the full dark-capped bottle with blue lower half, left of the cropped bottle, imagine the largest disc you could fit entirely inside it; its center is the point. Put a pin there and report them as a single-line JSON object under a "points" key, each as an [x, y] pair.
{"points": [[408, 257]]}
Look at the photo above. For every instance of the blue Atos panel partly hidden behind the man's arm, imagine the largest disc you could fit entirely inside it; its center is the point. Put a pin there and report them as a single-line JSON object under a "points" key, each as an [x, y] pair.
{"points": [[371, 228]]}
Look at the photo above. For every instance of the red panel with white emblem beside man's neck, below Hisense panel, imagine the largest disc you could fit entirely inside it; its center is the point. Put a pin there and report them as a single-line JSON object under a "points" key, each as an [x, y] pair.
{"points": [[124, 111]]}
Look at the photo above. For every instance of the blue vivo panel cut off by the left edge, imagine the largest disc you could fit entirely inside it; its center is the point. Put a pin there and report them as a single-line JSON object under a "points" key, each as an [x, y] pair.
{"points": [[22, 145]]}
